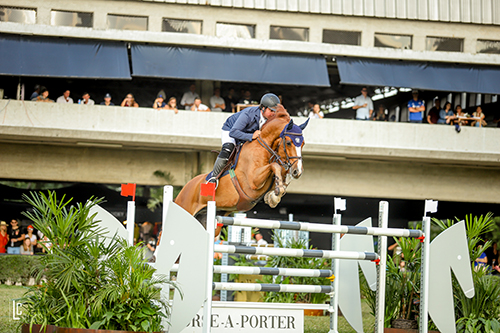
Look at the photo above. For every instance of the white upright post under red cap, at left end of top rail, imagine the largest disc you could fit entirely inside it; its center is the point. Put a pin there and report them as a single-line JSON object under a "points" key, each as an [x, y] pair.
{"points": [[207, 307]]}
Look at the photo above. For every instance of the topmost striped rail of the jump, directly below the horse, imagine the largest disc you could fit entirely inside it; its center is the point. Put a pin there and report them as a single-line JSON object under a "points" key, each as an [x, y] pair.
{"points": [[318, 227]]}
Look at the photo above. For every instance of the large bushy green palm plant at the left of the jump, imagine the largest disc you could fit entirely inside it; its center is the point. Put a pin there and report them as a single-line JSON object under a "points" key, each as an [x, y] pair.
{"points": [[90, 282]]}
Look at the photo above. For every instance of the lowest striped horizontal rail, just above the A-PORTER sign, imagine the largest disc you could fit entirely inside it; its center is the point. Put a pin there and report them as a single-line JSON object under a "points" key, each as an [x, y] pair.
{"points": [[281, 288]]}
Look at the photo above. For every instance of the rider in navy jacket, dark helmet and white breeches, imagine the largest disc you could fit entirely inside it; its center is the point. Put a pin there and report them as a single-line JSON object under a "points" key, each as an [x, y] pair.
{"points": [[243, 126]]}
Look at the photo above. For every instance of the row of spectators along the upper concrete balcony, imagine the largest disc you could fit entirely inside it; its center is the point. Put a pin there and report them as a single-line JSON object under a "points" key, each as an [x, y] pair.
{"points": [[363, 106]]}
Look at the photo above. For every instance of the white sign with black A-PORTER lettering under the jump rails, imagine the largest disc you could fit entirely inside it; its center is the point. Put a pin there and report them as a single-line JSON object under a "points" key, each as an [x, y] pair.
{"points": [[229, 320]]}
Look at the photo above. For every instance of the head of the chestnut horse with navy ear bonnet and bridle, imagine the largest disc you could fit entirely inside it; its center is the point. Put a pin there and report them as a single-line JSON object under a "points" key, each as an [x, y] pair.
{"points": [[292, 141]]}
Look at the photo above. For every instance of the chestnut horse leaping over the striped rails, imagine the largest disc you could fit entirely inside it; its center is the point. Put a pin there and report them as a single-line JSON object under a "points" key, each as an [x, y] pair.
{"points": [[274, 157]]}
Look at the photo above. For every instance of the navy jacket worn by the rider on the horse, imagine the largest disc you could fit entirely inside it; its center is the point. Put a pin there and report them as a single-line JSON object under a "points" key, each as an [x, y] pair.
{"points": [[241, 125]]}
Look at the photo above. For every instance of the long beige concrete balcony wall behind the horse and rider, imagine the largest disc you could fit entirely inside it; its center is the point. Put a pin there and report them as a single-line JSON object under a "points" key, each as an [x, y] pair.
{"points": [[78, 143]]}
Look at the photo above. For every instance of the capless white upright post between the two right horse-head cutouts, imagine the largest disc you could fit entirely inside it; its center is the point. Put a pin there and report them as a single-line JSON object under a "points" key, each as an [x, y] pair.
{"points": [[383, 222]]}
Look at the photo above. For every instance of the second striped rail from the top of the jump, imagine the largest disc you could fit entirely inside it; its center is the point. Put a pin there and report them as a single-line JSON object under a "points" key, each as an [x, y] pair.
{"points": [[296, 252]]}
